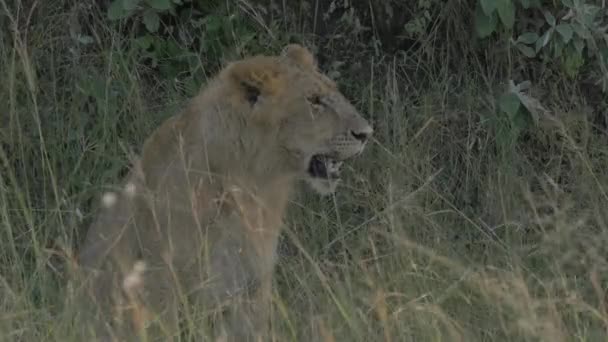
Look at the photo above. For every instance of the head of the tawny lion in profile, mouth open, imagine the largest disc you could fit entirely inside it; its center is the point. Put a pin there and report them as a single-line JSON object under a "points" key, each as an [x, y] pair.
{"points": [[315, 128]]}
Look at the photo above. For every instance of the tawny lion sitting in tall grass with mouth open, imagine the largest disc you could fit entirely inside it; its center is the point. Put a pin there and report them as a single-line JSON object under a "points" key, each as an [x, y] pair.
{"points": [[202, 208]]}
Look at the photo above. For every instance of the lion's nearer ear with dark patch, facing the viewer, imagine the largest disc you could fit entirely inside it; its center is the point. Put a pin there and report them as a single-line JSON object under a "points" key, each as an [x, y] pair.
{"points": [[256, 77]]}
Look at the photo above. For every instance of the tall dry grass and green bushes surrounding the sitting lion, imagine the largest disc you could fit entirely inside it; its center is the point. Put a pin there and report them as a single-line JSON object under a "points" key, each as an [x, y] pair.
{"points": [[478, 212]]}
